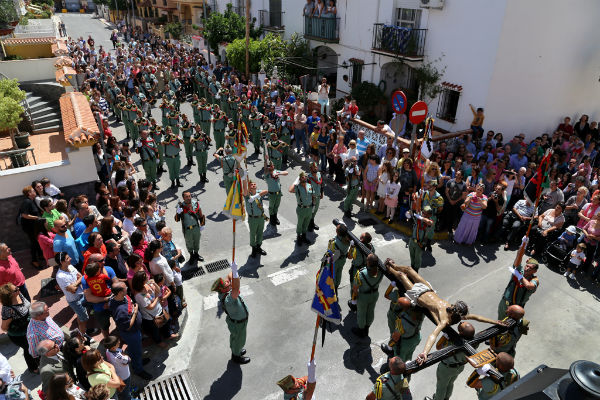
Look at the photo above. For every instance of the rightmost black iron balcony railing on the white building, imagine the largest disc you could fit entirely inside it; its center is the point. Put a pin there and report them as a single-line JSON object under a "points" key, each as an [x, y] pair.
{"points": [[399, 41]]}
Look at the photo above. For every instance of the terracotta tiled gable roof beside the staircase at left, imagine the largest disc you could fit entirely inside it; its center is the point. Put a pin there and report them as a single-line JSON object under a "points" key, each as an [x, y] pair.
{"points": [[79, 125]]}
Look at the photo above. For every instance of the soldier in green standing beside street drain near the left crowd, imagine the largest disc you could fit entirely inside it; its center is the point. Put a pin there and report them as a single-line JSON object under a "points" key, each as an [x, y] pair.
{"points": [[192, 224]]}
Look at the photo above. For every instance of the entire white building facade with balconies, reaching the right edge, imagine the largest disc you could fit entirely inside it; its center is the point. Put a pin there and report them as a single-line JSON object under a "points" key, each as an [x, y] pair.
{"points": [[528, 63]]}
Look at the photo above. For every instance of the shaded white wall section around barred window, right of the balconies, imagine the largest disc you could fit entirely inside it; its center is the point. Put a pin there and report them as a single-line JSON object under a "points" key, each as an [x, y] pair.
{"points": [[466, 32]]}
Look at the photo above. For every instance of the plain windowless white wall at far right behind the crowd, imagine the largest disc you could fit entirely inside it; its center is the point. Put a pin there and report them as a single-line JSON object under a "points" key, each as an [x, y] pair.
{"points": [[547, 66]]}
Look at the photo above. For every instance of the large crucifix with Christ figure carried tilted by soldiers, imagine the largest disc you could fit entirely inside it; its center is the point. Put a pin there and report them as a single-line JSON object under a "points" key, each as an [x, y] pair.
{"points": [[428, 306]]}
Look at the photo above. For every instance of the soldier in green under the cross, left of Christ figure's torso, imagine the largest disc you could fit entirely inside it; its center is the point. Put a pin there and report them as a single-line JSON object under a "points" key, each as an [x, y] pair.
{"points": [[407, 329]]}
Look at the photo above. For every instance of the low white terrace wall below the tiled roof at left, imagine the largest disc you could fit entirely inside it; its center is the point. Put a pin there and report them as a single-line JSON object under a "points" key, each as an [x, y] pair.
{"points": [[78, 168]]}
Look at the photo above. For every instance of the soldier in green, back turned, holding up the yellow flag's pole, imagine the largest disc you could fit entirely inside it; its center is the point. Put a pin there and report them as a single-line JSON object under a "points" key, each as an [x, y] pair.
{"points": [[237, 313]]}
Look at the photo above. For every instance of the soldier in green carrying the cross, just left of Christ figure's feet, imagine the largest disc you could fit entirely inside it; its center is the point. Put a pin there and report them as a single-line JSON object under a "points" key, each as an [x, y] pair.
{"points": [[365, 287]]}
